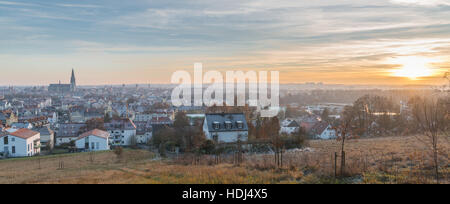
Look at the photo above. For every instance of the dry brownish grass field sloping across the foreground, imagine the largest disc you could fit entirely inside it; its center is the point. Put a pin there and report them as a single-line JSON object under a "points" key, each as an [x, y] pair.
{"points": [[378, 160]]}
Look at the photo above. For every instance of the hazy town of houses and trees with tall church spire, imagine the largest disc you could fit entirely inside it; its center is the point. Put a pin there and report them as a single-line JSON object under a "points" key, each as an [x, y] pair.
{"points": [[68, 119]]}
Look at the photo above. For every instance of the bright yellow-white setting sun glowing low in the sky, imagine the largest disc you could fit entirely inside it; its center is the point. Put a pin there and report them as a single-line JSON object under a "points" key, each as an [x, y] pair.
{"points": [[413, 67]]}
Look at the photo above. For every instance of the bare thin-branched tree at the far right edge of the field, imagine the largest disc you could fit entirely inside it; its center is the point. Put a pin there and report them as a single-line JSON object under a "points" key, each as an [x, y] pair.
{"points": [[431, 115]]}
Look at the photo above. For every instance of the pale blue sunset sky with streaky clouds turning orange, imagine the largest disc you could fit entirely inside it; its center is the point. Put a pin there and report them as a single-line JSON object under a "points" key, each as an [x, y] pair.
{"points": [[394, 42]]}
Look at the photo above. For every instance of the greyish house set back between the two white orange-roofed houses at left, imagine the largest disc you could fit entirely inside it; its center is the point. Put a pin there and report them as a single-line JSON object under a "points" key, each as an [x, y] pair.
{"points": [[68, 132]]}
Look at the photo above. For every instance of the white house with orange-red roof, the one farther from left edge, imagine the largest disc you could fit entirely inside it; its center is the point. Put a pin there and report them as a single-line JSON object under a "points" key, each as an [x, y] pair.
{"points": [[94, 140]]}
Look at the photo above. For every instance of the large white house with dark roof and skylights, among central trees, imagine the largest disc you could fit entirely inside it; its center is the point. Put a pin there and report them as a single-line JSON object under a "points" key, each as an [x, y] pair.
{"points": [[225, 127]]}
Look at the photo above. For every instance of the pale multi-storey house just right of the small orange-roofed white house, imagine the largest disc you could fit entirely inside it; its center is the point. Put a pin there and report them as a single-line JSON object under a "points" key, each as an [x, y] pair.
{"points": [[122, 131]]}
